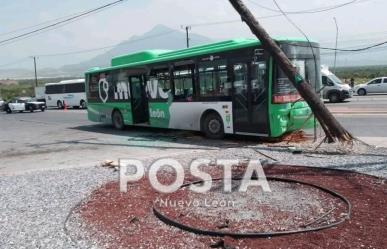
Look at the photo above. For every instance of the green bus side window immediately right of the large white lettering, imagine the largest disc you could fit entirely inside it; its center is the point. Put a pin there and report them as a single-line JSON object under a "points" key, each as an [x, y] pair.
{"points": [[183, 83]]}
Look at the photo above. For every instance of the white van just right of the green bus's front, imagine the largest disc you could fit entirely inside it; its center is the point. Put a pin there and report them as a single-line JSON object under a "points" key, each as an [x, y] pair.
{"points": [[334, 89]]}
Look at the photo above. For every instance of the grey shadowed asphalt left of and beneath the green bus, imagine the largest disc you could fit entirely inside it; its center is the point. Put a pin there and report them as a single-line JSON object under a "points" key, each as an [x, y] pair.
{"points": [[61, 139]]}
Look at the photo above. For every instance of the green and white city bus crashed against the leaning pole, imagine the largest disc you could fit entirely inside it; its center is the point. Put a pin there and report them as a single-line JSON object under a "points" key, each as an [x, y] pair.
{"points": [[230, 87]]}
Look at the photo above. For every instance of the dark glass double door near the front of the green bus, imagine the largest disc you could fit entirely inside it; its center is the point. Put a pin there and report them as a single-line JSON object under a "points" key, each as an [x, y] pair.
{"points": [[250, 99]]}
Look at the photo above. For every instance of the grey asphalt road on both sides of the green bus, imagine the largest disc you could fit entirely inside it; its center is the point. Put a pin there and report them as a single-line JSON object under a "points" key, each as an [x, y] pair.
{"points": [[62, 139]]}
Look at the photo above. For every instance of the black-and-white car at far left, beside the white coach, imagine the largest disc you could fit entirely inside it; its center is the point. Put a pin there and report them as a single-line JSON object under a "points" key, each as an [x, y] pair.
{"points": [[24, 104]]}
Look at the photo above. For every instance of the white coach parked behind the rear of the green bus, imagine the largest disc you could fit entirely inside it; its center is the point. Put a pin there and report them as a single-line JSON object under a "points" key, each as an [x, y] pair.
{"points": [[66, 93]]}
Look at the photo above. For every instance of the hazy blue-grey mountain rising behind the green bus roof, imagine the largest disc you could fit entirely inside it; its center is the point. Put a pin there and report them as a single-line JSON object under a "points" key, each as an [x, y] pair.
{"points": [[159, 37]]}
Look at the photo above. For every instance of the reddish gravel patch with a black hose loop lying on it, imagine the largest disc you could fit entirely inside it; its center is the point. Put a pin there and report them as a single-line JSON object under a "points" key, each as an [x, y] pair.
{"points": [[126, 220]]}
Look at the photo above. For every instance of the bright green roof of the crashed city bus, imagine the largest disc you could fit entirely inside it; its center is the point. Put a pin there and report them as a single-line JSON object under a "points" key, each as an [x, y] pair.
{"points": [[155, 56]]}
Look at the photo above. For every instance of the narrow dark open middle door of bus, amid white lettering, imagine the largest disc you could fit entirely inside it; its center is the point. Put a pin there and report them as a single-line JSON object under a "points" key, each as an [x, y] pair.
{"points": [[139, 101]]}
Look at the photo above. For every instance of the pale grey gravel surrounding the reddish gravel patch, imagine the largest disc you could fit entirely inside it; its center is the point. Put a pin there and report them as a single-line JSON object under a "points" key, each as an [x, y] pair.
{"points": [[34, 206]]}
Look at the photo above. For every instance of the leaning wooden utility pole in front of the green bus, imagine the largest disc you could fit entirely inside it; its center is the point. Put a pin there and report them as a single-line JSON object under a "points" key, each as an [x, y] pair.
{"points": [[332, 128]]}
